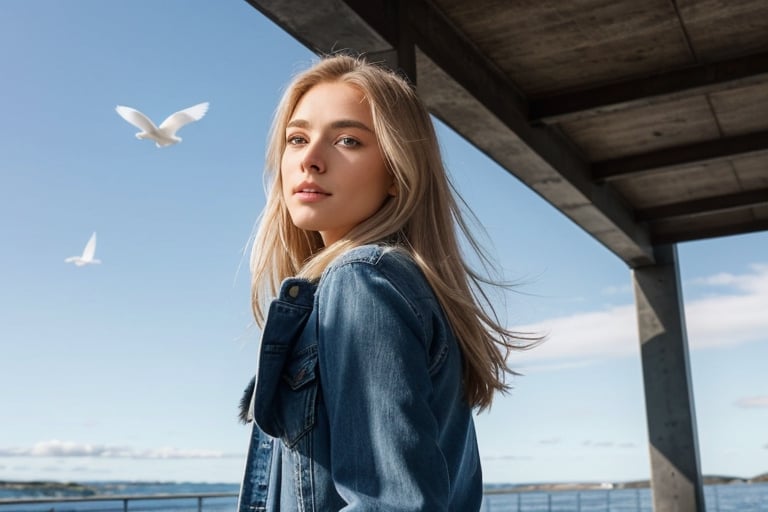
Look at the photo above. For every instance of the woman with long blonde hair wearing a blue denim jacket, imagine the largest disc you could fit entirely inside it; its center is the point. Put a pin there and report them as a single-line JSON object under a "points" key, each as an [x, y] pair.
{"points": [[379, 344]]}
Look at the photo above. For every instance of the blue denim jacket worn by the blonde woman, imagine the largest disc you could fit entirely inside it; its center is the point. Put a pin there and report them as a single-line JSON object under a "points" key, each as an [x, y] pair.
{"points": [[359, 404]]}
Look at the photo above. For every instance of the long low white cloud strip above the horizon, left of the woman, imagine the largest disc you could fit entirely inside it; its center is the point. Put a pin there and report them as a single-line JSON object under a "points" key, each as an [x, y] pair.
{"points": [[56, 448]]}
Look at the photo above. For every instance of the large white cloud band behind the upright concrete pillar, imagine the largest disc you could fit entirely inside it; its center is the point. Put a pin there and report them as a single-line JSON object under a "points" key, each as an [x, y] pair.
{"points": [[735, 313]]}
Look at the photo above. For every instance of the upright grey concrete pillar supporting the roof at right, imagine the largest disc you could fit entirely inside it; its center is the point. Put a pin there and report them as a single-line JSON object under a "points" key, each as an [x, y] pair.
{"points": [[675, 469]]}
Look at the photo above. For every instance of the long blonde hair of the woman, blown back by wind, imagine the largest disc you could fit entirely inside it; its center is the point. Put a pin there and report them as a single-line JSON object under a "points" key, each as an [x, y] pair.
{"points": [[422, 216]]}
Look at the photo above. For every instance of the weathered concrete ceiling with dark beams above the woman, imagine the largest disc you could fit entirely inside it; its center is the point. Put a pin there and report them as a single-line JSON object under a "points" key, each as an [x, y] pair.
{"points": [[646, 123]]}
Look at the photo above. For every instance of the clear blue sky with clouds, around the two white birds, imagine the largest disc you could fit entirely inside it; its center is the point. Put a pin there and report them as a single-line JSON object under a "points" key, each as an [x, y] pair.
{"points": [[132, 369]]}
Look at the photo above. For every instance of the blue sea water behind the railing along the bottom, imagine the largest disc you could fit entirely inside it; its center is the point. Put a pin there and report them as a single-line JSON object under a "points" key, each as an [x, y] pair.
{"points": [[718, 498]]}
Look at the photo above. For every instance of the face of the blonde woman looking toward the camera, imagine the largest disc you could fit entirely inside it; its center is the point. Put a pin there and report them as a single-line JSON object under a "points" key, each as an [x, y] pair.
{"points": [[333, 173]]}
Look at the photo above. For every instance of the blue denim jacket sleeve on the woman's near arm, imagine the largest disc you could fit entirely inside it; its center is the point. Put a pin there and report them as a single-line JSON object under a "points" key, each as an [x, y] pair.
{"points": [[374, 374]]}
